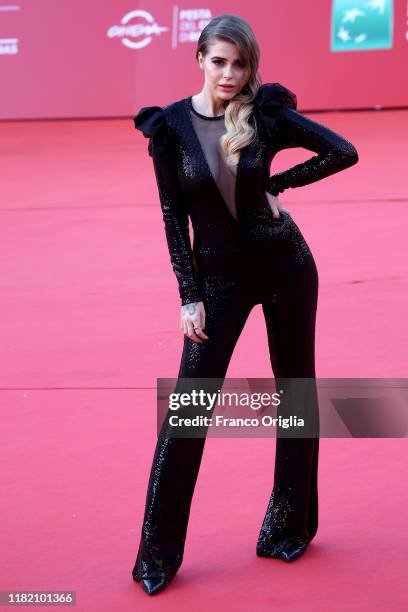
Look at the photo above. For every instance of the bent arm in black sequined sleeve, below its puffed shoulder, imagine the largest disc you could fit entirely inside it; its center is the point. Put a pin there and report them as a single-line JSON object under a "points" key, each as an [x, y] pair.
{"points": [[335, 153]]}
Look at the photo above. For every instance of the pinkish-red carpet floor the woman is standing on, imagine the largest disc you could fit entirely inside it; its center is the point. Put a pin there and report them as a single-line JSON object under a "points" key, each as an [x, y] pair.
{"points": [[90, 319]]}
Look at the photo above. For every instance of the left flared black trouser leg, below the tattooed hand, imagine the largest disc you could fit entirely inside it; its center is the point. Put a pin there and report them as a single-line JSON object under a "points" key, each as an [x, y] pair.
{"points": [[177, 461]]}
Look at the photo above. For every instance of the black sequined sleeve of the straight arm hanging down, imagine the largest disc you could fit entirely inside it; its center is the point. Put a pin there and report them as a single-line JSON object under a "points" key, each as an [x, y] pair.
{"points": [[152, 122]]}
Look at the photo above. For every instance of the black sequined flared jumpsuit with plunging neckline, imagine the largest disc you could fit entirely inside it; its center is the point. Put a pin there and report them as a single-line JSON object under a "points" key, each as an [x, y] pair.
{"points": [[233, 265]]}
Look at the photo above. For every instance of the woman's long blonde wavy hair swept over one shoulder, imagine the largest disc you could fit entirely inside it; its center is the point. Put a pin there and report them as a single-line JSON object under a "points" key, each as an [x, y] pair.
{"points": [[236, 30]]}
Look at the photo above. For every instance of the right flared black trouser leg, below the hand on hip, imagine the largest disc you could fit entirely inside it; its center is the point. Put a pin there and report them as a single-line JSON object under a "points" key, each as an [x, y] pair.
{"points": [[290, 316]]}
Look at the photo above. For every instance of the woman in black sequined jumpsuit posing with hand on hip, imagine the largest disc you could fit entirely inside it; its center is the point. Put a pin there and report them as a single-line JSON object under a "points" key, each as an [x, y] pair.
{"points": [[211, 154]]}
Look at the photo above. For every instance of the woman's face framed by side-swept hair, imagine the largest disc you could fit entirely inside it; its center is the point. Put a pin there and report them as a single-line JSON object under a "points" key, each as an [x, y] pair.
{"points": [[223, 66]]}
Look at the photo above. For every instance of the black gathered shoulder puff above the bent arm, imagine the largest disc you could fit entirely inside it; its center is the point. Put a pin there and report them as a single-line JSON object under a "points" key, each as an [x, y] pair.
{"points": [[270, 99]]}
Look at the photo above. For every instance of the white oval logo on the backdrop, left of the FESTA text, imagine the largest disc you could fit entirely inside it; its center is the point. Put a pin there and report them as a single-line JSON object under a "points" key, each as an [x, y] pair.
{"points": [[136, 29]]}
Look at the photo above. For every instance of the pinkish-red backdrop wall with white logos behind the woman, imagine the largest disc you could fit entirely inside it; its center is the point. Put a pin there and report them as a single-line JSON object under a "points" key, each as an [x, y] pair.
{"points": [[71, 59]]}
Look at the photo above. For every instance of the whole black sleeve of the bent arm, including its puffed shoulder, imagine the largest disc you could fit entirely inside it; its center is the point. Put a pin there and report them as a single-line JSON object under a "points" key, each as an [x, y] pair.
{"points": [[293, 129]]}
